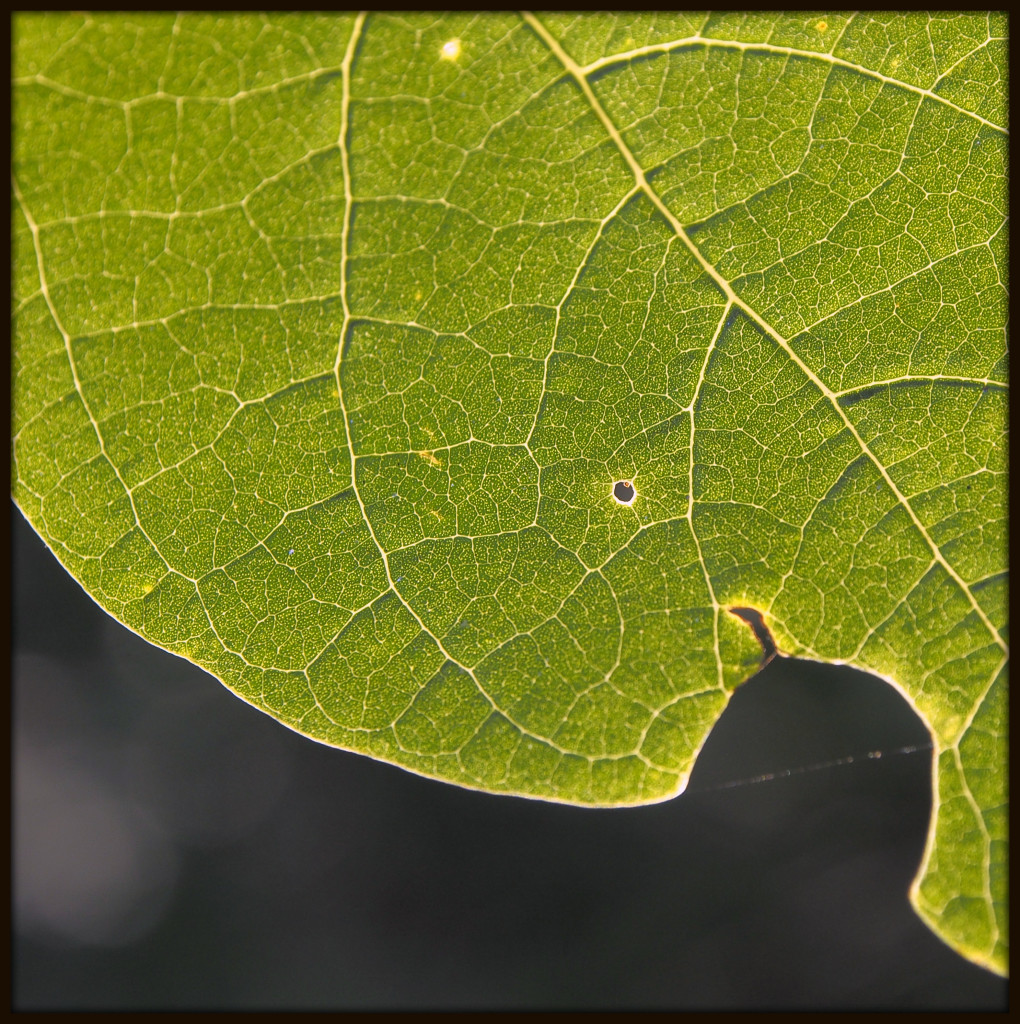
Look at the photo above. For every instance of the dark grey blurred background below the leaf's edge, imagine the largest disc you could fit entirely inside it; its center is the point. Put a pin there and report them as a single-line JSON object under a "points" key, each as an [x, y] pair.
{"points": [[177, 849]]}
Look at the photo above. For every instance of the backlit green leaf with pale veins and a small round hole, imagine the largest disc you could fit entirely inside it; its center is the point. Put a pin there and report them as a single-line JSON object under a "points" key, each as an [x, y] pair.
{"points": [[334, 335]]}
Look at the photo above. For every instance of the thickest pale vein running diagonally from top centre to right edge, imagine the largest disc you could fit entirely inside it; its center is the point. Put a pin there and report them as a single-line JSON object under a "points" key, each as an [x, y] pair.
{"points": [[578, 74]]}
